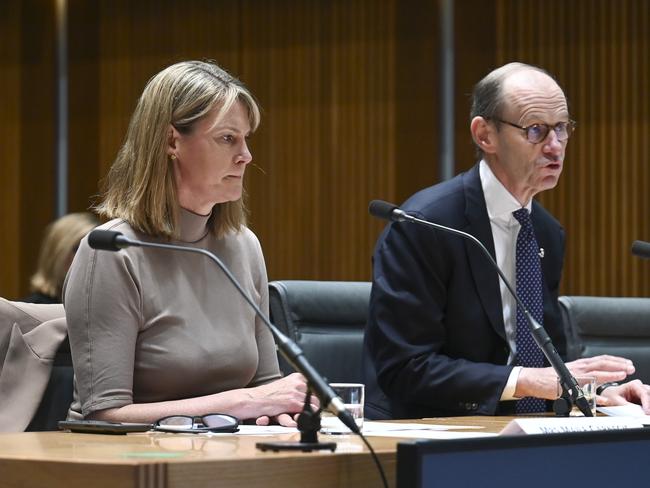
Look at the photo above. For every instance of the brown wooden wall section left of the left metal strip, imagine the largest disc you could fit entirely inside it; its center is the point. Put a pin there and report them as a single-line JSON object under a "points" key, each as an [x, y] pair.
{"points": [[27, 189]]}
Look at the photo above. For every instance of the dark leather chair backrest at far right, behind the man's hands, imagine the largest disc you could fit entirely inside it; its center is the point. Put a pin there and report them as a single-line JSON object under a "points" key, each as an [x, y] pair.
{"points": [[609, 325]]}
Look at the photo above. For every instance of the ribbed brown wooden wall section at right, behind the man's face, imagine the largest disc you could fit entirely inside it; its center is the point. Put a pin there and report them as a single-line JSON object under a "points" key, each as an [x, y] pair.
{"points": [[600, 53]]}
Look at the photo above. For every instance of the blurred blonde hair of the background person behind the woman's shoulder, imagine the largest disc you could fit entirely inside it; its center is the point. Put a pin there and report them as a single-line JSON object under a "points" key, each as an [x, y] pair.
{"points": [[57, 249]]}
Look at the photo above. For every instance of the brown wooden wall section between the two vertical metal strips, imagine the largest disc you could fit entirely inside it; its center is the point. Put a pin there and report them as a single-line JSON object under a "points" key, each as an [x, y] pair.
{"points": [[348, 90]]}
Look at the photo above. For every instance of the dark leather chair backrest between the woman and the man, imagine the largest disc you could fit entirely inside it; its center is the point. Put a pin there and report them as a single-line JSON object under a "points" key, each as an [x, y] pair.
{"points": [[327, 320]]}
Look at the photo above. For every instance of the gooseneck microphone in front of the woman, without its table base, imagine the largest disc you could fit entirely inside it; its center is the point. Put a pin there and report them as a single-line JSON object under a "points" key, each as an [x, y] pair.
{"points": [[108, 240]]}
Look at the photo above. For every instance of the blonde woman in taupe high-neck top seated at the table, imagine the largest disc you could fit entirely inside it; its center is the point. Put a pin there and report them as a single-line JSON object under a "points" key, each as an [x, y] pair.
{"points": [[155, 333]]}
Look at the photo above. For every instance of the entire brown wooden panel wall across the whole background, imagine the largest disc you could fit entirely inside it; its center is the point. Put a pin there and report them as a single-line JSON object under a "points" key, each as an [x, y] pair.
{"points": [[350, 97]]}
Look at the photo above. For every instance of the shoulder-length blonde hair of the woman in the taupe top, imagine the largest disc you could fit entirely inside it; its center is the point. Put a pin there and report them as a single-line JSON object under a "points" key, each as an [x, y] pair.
{"points": [[140, 186]]}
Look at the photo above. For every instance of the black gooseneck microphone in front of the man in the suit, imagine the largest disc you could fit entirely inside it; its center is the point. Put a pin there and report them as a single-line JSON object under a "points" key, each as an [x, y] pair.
{"points": [[388, 211]]}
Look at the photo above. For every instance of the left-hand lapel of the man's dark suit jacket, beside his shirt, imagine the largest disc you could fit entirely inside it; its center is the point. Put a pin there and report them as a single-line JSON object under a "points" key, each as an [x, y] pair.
{"points": [[485, 277]]}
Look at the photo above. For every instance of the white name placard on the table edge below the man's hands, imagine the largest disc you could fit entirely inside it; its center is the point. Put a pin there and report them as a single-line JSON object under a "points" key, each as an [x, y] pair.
{"points": [[562, 425]]}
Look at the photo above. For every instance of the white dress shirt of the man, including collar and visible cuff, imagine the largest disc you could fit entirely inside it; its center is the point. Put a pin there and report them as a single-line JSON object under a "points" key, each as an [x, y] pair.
{"points": [[500, 204]]}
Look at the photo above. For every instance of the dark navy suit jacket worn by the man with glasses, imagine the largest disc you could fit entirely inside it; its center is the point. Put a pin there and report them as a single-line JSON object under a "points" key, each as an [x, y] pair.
{"points": [[435, 338]]}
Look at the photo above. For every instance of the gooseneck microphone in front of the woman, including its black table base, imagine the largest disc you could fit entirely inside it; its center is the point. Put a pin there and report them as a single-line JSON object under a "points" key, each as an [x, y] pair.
{"points": [[114, 241]]}
